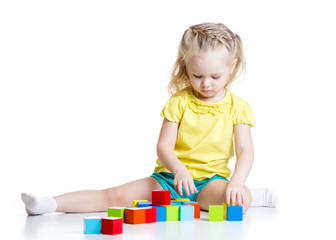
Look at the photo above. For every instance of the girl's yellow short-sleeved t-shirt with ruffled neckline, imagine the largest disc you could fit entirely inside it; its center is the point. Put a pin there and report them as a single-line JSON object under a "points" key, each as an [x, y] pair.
{"points": [[204, 141]]}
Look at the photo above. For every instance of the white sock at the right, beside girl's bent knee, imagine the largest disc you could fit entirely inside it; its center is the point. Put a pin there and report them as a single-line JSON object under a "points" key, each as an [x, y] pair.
{"points": [[264, 197]]}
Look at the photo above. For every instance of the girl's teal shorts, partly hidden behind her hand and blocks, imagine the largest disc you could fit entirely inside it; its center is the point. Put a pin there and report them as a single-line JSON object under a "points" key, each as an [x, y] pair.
{"points": [[167, 182]]}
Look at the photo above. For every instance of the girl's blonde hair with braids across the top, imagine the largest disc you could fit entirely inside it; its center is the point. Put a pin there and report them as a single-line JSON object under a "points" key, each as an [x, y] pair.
{"points": [[202, 37]]}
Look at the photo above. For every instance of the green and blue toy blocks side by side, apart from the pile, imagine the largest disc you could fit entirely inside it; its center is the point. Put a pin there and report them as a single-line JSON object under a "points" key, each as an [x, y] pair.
{"points": [[227, 212]]}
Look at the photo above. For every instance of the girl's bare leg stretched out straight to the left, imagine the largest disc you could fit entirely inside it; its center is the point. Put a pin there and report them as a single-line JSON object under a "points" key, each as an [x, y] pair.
{"points": [[100, 200]]}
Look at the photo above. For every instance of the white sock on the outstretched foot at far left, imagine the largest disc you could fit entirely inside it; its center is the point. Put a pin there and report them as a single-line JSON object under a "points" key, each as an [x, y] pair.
{"points": [[38, 205]]}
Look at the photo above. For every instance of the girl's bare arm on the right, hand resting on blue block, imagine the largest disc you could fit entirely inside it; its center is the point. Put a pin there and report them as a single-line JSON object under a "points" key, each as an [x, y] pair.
{"points": [[244, 156]]}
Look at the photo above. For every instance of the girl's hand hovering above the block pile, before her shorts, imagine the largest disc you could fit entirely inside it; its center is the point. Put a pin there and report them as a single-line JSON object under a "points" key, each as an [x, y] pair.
{"points": [[183, 179]]}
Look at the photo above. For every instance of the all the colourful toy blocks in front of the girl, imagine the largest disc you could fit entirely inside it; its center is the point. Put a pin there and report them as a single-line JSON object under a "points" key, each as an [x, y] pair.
{"points": [[161, 209]]}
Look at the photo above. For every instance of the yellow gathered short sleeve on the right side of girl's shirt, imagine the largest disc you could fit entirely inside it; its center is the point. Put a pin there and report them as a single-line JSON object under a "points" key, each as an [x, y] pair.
{"points": [[242, 112]]}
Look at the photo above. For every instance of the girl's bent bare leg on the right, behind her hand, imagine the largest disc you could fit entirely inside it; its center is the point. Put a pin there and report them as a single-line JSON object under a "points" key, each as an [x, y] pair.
{"points": [[214, 193]]}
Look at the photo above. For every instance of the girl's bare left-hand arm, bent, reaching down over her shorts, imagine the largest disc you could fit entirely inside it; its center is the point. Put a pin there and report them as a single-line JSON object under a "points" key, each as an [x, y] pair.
{"points": [[165, 151]]}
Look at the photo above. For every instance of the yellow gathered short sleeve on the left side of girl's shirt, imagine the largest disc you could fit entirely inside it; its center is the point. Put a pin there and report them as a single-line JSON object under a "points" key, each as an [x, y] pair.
{"points": [[174, 108]]}
